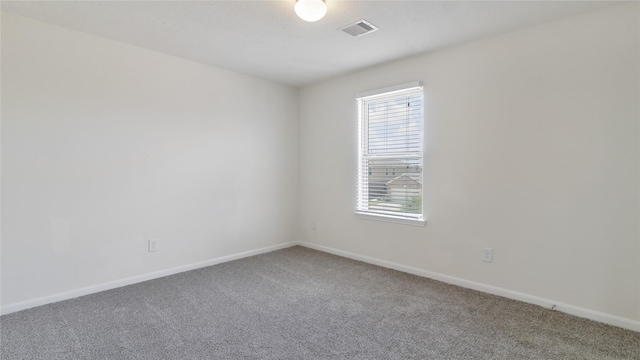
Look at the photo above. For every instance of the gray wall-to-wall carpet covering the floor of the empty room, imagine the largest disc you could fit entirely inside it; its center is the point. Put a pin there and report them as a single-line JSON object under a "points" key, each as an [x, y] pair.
{"points": [[298, 303]]}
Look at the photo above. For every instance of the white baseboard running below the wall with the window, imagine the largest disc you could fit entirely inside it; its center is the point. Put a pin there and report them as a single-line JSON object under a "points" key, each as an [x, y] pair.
{"points": [[547, 303]]}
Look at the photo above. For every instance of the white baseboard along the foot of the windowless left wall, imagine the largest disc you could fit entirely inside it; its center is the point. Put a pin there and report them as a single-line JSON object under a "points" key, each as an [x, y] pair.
{"points": [[7, 309]]}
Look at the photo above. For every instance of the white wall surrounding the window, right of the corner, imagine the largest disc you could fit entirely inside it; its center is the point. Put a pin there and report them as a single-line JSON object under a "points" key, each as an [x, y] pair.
{"points": [[532, 149]]}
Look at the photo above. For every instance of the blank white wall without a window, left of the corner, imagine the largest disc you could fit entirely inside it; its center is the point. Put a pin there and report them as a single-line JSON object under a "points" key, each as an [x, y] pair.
{"points": [[106, 145]]}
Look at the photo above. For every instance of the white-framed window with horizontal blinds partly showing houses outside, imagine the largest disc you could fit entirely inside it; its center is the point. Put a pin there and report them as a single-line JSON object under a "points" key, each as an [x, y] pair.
{"points": [[391, 126]]}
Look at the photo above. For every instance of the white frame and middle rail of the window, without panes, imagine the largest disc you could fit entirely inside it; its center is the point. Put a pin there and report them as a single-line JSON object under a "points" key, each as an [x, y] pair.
{"points": [[362, 203]]}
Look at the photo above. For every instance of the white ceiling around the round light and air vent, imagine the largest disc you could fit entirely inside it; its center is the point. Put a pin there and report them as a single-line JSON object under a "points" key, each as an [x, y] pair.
{"points": [[266, 39]]}
